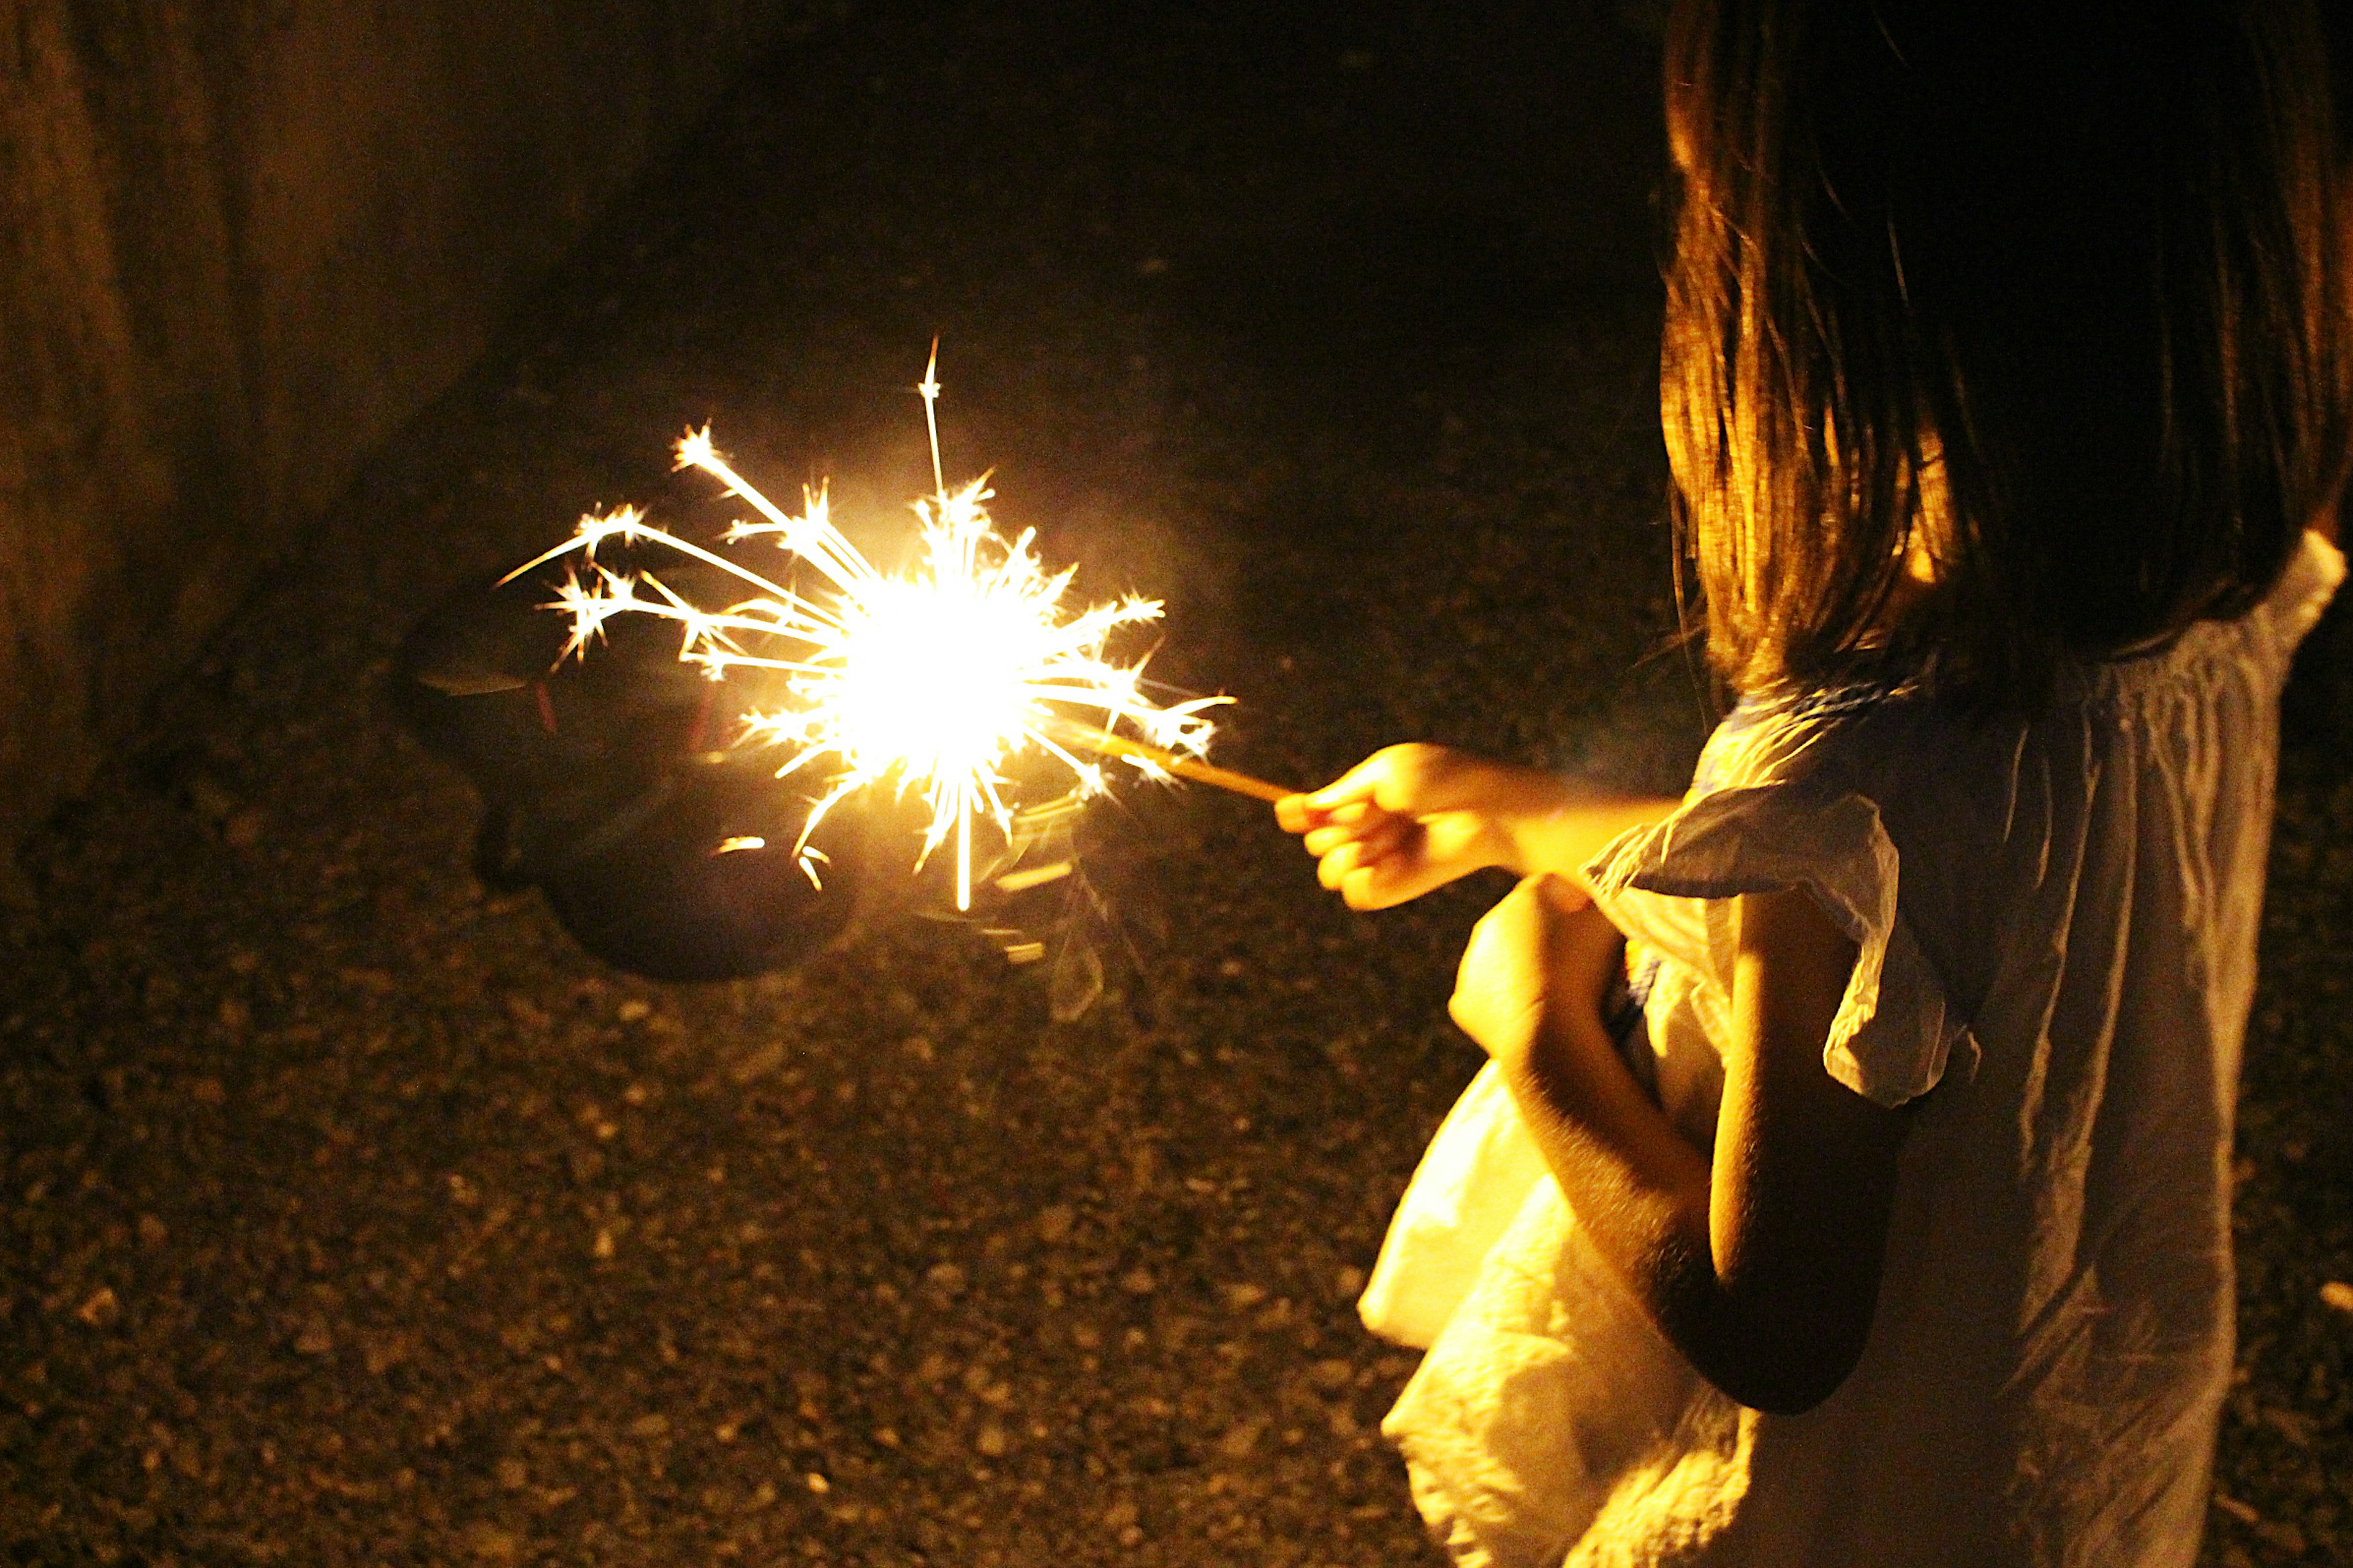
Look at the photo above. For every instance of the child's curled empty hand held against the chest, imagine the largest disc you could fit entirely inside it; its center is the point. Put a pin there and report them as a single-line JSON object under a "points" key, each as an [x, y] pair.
{"points": [[1535, 974]]}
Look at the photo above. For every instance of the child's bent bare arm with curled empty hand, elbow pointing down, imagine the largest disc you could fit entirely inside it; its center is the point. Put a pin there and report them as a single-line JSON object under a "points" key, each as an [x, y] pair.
{"points": [[1764, 1263]]}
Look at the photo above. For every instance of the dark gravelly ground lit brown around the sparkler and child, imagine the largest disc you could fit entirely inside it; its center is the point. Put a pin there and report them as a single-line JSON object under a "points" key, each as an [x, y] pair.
{"points": [[356, 1216]]}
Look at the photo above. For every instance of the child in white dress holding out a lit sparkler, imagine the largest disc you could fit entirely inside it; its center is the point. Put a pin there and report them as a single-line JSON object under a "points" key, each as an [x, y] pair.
{"points": [[2006, 383]]}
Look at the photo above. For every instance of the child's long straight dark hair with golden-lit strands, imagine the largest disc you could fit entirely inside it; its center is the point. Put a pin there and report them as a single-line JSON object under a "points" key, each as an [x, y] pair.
{"points": [[2077, 272]]}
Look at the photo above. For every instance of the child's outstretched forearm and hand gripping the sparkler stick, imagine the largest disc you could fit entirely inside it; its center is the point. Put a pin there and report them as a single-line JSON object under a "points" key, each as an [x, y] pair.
{"points": [[1413, 818]]}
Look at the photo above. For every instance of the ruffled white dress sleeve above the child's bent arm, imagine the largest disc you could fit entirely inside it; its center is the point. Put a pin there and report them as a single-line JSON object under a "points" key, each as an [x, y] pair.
{"points": [[1672, 889]]}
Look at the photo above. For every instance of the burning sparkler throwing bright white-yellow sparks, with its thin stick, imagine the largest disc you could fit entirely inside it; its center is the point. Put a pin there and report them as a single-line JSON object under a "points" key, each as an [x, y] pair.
{"points": [[935, 679]]}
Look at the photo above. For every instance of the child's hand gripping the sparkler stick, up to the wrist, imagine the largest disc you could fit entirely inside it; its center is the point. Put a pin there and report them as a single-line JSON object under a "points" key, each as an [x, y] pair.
{"points": [[1401, 823]]}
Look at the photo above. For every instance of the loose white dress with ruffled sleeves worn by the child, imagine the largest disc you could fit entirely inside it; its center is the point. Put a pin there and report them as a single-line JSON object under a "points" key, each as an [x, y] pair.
{"points": [[2058, 936]]}
